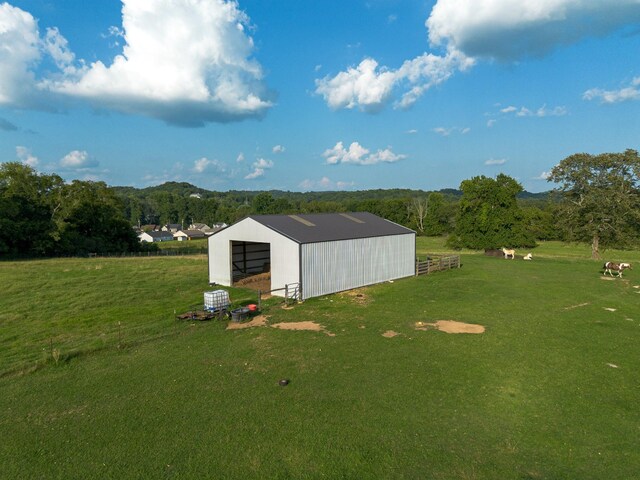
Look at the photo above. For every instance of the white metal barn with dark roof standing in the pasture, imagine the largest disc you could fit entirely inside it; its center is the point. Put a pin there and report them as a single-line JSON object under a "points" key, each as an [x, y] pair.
{"points": [[317, 253]]}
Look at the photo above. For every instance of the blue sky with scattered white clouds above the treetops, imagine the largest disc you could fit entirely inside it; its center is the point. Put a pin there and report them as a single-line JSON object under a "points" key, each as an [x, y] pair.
{"points": [[303, 95]]}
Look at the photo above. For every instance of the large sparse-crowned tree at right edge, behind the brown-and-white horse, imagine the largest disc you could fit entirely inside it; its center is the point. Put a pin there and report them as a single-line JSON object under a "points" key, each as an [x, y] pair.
{"points": [[600, 201]]}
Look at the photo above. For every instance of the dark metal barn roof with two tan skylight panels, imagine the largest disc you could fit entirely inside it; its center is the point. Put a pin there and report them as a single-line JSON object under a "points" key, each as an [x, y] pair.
{"points": [[325, 227]]}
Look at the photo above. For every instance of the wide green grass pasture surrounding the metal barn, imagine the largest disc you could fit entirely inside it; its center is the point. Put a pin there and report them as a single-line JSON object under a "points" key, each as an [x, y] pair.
{"points": [[548, 391]]}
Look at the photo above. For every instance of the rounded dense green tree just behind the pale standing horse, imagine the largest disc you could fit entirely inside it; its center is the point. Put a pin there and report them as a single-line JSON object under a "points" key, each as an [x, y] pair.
{"points": [[489, 216]]}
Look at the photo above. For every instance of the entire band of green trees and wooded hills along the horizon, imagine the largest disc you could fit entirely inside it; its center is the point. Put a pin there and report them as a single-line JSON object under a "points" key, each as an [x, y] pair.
{"points": [[596, 200]]}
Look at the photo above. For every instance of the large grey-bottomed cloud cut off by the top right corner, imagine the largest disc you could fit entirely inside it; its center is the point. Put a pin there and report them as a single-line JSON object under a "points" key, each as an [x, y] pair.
{"points": [[512, 29]]}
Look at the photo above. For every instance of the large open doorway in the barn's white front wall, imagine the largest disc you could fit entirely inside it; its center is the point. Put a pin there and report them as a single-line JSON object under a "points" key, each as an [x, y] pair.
{"points": [[251, 265]]}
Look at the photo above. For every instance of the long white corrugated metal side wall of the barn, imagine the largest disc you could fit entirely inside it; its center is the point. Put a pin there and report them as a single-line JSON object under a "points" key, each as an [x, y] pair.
{"points": [[330, 267]]}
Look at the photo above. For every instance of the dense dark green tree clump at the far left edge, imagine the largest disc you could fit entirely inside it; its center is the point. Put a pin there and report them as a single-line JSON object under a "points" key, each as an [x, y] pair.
{"points": [[41, 215]]}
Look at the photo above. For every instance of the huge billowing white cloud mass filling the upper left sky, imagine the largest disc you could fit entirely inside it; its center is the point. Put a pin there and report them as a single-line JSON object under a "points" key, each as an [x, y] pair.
{"points": [[186, 62]]}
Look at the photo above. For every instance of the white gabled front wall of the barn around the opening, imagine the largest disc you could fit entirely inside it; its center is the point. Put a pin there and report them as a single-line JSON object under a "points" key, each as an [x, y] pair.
{"points": [[284, 253]]}
